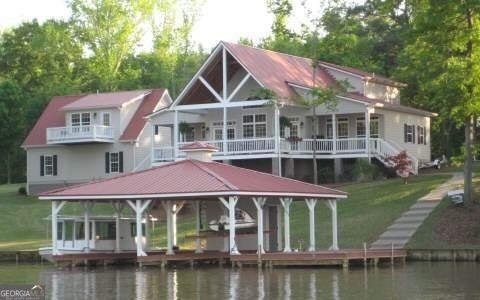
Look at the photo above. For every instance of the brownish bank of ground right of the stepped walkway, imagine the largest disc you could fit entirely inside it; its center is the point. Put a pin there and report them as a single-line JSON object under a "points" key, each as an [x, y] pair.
{"points": [[450, 227]]}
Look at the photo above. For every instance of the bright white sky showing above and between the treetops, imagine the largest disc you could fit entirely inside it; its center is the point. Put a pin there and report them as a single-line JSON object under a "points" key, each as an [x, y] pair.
{"points": [[226, 20]]}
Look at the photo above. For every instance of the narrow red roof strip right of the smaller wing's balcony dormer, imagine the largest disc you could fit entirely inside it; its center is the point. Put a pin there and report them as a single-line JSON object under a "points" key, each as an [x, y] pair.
{"points": [[138, 121]]}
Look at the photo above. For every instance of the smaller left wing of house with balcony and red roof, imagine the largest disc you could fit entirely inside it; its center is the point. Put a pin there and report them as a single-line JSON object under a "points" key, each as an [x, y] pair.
{"points": [[86, 137]]}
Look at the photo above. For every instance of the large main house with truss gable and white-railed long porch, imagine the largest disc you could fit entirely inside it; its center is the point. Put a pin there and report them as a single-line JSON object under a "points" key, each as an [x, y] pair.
{"points": [[222, 104]]}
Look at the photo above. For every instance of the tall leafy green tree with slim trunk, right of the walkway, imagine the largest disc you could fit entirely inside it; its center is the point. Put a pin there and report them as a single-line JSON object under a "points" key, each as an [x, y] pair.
{"points": [[446, 40]]}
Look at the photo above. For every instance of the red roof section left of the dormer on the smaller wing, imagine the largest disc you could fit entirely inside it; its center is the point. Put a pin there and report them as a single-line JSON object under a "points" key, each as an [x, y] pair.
{"points": [[52, 116]]}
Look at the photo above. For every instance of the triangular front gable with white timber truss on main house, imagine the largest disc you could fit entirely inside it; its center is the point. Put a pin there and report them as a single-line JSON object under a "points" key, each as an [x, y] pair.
{"points": [[220, 80]]}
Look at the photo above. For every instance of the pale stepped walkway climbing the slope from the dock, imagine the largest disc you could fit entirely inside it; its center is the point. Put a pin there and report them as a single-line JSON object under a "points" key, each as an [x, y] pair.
{"points": [[400, 232]]}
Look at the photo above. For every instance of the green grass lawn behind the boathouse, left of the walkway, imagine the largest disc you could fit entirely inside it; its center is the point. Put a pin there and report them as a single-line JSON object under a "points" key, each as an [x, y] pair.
{"points": [[370, 208]]}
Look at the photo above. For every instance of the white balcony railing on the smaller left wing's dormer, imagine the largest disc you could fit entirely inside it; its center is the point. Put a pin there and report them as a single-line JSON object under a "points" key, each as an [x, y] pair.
{"points": [[72, 134]]}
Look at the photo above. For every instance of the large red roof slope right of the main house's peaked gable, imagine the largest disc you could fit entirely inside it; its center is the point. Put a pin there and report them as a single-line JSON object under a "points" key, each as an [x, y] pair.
{"points": [[274, 69]]}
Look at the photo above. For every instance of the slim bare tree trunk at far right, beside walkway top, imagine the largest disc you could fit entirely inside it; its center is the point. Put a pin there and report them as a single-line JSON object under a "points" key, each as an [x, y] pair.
{"points": [[468, 166]]}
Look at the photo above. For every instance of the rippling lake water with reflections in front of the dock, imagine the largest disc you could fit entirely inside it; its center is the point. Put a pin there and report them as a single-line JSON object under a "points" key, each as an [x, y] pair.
{"points": [[419, 280]]}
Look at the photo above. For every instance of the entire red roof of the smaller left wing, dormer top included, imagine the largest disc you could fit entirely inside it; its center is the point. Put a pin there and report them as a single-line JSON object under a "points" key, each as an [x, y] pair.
{"points": [[54, 113]]}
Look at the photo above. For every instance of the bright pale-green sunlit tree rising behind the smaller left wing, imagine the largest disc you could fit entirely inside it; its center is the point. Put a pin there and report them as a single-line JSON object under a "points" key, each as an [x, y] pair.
{"points": [[110, 29]]}
